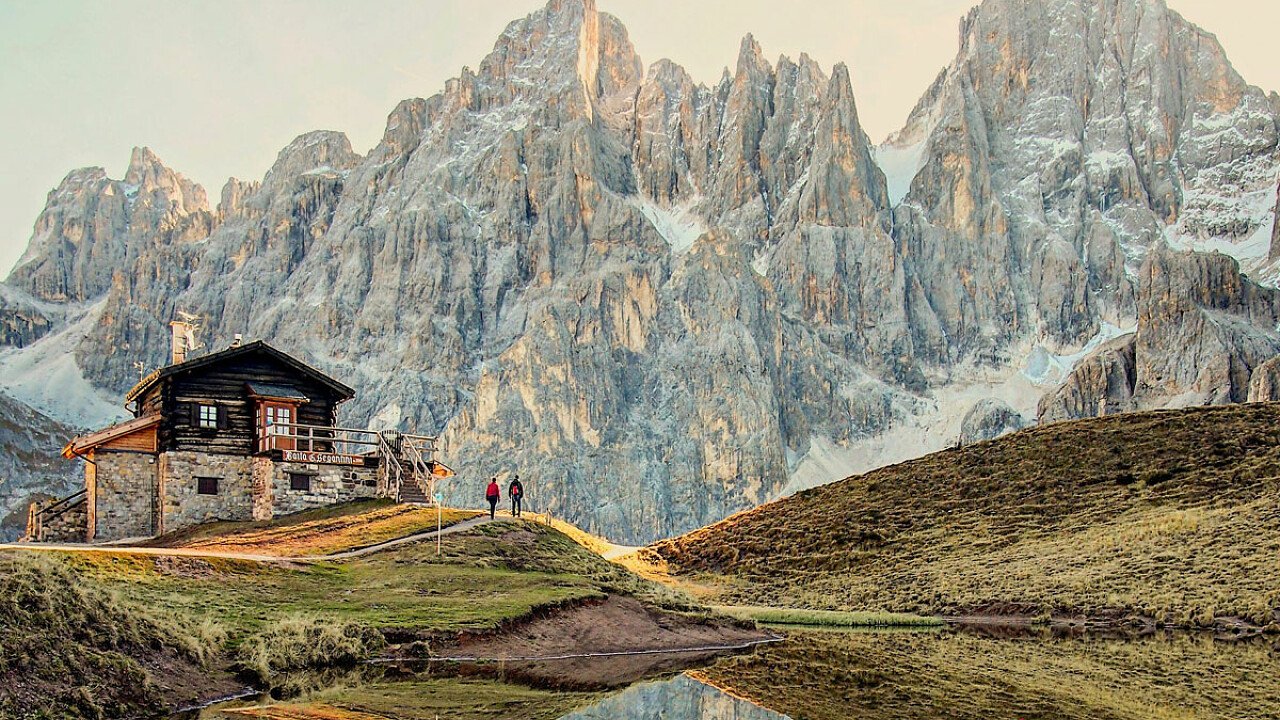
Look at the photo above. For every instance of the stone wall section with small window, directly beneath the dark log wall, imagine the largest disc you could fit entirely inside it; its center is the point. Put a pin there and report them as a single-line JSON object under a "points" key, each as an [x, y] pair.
{"points": [[184, 507]]}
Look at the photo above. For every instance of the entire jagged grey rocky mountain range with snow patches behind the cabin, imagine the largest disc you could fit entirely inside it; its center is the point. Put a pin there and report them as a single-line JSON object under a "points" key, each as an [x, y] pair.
{"points": [[659, 300]]}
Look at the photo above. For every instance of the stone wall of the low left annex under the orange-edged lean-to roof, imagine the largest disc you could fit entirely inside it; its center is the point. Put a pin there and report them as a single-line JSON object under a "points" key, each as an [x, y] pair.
{"points": [[125, 490]]}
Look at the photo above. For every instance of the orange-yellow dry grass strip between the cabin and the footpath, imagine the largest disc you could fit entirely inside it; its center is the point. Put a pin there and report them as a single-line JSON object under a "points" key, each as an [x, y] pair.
{"points": [[322, 532]]}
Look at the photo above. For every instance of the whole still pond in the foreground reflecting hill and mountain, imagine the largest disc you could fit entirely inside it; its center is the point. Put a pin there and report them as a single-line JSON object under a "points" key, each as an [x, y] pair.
{"points": [[986, 675]]}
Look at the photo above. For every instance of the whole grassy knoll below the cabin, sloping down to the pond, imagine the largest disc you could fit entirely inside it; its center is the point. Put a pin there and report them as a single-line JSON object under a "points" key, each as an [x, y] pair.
{"points": [[90, 634]]}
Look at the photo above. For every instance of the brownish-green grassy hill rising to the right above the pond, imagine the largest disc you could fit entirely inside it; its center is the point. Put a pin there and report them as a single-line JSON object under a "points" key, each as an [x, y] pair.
{"points": [[1173, 516]]}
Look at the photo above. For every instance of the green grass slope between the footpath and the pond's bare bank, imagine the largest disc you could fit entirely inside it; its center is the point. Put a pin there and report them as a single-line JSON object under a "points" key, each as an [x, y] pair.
{"points": [[406, 589]]}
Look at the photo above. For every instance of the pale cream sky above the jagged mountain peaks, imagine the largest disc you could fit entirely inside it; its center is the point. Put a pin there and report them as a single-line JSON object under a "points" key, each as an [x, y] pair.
{"points": [[217, 89]]}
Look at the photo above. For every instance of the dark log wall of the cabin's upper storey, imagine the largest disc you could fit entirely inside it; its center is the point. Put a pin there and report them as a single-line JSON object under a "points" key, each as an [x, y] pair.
{"points": [[225, 386]]}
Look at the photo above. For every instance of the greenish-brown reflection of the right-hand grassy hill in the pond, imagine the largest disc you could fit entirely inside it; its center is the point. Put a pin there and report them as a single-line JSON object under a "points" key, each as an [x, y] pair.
{"points": [[1004, 675]]}
